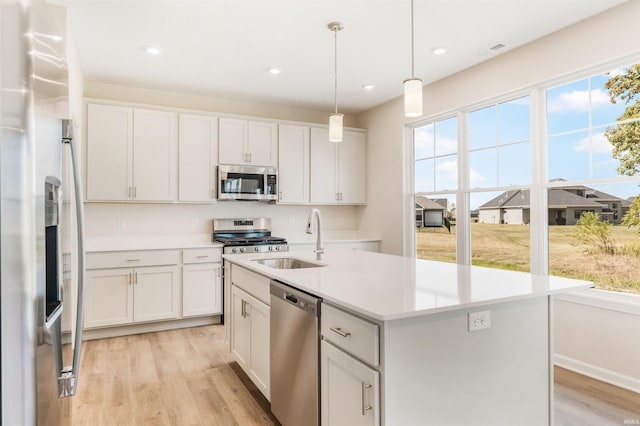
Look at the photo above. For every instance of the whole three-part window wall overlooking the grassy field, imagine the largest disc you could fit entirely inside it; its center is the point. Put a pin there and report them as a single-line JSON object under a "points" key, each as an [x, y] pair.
{"points": [[590, 133]]}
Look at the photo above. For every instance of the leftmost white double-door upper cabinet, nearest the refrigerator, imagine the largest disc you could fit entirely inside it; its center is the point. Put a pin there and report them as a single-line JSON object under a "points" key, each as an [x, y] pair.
{"points": [[131, 154]]}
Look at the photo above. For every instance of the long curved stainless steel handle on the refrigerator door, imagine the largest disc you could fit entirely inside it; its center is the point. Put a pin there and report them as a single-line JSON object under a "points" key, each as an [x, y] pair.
{"points": [[68, 377]]}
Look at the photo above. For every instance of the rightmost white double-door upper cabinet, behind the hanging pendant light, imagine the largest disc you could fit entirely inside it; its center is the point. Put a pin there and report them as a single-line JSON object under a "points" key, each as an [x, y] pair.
{"points": [[338, 169]]}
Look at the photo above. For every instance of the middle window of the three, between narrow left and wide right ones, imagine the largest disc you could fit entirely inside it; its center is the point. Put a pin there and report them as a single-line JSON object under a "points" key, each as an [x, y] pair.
{"points": [[500, 157]]}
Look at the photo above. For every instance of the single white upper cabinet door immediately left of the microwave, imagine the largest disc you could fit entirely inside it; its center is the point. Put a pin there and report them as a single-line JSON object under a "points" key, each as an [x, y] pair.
{"points": [[198, 158]]}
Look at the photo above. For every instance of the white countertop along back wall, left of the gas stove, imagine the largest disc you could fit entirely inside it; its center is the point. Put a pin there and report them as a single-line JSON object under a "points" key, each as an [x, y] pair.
{"points": [[148, 242]]}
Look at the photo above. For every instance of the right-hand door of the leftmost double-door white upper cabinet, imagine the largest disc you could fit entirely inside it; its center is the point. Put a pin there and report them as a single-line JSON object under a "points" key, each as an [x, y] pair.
{"points": [[155, 147]]}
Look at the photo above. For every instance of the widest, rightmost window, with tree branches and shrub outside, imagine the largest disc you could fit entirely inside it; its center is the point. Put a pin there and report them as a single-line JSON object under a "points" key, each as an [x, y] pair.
{"points": [[593, 167]]}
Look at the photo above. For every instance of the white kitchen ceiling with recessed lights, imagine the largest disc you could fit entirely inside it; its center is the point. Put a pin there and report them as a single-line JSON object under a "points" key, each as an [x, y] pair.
{"points": [[224, 48]]}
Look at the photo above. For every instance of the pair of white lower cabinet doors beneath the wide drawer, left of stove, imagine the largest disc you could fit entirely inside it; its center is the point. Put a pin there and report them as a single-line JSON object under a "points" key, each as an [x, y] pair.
{"points": [[126, 295]]}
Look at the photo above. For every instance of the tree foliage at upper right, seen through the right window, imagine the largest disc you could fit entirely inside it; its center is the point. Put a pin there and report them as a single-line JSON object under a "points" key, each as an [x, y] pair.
{"points": [[625, 137]]}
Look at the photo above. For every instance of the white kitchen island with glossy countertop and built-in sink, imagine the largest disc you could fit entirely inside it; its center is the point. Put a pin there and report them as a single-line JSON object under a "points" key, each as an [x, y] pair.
{"points": [[416, 342]]}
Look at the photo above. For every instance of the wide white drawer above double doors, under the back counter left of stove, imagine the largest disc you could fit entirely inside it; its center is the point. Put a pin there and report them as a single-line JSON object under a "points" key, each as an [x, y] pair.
{"points": [[127, 259]]}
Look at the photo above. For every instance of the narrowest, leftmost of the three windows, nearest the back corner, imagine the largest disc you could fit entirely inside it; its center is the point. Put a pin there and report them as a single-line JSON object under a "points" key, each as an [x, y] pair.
{"points": [[435, 180]]}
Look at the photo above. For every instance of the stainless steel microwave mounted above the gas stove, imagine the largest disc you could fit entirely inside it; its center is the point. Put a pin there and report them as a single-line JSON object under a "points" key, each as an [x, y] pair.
{"points": [[247, 183]]}
